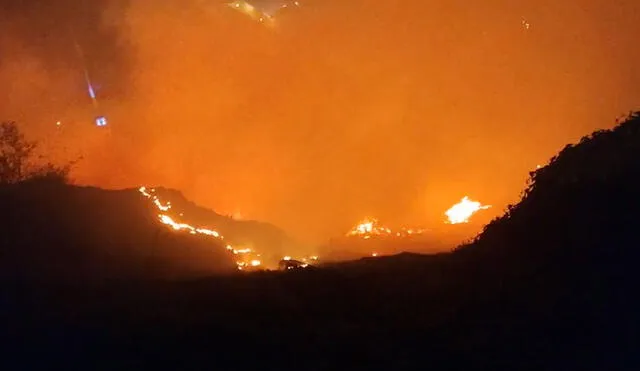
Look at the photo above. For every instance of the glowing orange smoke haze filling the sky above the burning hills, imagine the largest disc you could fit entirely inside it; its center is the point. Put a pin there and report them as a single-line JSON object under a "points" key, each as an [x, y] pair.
{"points": [[347, 108]]}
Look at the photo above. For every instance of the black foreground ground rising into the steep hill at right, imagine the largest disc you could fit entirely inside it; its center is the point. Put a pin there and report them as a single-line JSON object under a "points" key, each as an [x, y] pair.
{"points": [[551, 285]]}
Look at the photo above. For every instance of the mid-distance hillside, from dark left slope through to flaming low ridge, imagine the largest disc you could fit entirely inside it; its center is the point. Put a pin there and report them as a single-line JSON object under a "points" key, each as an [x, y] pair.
{"points": [[114, 234]]}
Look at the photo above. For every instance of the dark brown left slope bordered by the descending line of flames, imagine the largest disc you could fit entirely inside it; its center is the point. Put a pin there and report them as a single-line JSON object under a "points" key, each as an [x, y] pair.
{"points": [[56, 231]]}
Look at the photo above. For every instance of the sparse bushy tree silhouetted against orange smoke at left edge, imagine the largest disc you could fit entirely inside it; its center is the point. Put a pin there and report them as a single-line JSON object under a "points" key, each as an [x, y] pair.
{"points": [[17, 159]]}
